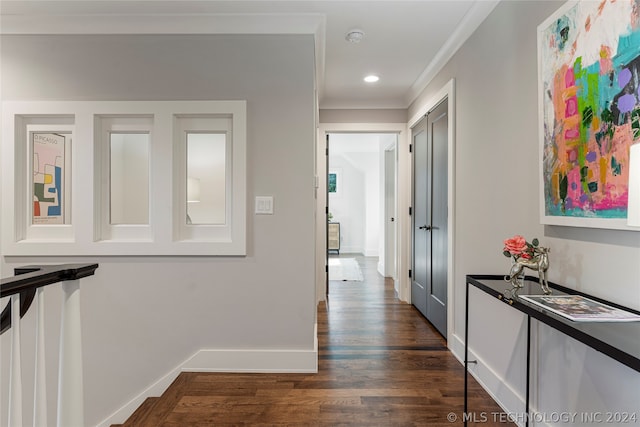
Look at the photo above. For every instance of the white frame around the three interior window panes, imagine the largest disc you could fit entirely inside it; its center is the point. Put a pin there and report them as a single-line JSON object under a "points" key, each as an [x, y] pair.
{"points": [[85, 196]]}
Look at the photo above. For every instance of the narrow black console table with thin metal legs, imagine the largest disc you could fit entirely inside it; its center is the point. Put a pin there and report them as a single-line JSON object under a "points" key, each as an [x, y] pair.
{"points": [[618, 340]]}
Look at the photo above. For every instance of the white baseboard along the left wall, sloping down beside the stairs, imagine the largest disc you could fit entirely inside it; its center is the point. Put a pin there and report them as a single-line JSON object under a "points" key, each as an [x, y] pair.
{"points": [[209, 360]]}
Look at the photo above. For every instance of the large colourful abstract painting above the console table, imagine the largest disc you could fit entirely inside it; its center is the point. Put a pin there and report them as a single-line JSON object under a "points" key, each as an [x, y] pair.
{"points": [[589, 72]]}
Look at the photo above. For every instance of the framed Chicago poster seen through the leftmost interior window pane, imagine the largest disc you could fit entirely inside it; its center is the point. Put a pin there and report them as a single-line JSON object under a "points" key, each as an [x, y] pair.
{"points": [[48, 176]]}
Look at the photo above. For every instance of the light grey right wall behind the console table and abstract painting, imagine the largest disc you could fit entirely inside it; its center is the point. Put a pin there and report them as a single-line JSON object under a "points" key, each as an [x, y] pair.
{"points": [[496, 197]]}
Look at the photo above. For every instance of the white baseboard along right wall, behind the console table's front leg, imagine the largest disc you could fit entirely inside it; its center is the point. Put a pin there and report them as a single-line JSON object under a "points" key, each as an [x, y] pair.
{"points": [[511, 401]]}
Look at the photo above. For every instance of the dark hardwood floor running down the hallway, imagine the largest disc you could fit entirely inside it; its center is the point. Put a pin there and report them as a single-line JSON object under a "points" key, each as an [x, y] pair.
{"points": [[380, 364]]}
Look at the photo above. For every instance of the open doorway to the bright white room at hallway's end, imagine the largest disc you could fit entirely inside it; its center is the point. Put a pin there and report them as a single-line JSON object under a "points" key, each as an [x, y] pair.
{"points": [[361, 203]]}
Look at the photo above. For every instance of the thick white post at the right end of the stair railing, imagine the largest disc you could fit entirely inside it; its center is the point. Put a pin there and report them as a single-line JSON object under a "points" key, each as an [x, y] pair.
{"points": [[70, 390]]}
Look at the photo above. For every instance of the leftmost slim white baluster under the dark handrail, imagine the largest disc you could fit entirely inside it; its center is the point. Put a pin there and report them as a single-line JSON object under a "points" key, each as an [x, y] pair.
{"points": [[15, 373]]}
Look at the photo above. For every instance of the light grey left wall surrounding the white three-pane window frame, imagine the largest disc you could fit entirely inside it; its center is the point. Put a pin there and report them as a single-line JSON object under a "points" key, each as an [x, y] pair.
{"points": [[144, 316]]}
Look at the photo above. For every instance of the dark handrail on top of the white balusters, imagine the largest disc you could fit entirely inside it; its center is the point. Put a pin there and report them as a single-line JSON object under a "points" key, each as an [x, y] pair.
{"points": [[28, 279]]}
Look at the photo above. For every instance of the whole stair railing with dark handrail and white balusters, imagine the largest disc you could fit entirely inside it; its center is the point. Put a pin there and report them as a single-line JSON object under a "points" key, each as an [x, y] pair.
{"points": [[21, 288]]}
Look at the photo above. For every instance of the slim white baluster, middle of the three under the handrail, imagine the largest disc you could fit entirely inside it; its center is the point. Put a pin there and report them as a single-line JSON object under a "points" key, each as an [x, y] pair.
{"points": [[40, 384]]}
